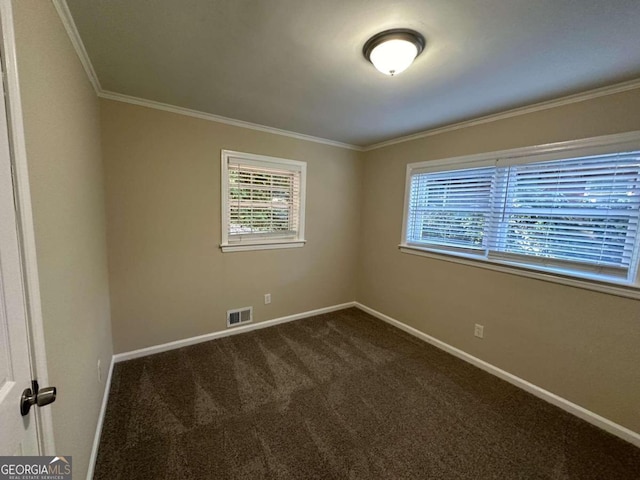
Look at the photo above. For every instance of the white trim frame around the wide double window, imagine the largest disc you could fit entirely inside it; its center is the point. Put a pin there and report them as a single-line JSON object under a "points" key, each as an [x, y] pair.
{"points": [[588, 146]]}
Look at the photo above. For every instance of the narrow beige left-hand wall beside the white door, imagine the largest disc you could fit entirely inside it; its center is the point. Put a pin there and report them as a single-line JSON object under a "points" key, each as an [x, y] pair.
{"points": [[62, 127]]}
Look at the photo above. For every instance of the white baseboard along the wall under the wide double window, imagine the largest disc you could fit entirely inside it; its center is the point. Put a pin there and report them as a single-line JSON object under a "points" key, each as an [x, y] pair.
{"points": [[580, 412]]}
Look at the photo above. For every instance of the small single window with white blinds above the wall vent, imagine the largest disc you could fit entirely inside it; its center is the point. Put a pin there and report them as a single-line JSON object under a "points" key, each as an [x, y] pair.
{"points": [[262, 202]]}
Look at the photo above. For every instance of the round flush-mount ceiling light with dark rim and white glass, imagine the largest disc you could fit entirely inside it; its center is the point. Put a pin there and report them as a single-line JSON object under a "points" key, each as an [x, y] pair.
{"points": [[393, 51]]}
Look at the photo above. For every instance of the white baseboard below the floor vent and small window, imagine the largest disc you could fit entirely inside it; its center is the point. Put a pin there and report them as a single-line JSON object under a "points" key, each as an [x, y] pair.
{"points": [[143, 352]]}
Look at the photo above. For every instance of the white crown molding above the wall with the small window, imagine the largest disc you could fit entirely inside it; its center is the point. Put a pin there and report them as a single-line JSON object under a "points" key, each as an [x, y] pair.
{"points": [[119, 97]]}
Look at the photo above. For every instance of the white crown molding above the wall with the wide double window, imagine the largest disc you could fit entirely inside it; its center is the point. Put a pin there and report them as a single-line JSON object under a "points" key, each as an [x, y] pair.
{"points": [[536, 107]]}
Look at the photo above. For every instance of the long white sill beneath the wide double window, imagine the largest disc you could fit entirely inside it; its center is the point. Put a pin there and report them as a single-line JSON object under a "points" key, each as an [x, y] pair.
{"points": [[523, 271]]}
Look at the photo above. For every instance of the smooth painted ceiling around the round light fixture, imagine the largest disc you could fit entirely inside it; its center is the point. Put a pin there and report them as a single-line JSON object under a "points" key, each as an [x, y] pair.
{"points": [[297, 65]]}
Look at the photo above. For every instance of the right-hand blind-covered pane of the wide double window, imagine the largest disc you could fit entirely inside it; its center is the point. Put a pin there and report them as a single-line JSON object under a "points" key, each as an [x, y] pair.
{"points": [[581, 210]]}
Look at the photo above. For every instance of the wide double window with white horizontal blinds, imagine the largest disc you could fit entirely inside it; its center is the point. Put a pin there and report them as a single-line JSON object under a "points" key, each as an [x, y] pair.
{"points": [[570, 209]]}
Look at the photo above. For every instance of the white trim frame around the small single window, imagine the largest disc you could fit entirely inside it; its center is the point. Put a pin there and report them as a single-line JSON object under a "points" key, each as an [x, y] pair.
{"points": [[257, 244]]}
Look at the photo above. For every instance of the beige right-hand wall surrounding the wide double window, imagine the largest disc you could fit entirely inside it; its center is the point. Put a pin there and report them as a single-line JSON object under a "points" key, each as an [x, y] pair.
{"points": [[579, 344]]}
